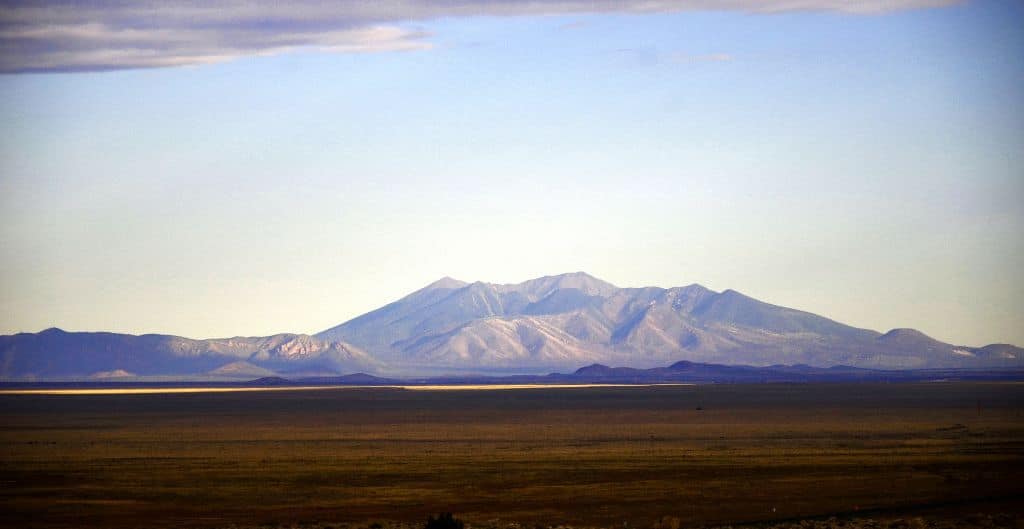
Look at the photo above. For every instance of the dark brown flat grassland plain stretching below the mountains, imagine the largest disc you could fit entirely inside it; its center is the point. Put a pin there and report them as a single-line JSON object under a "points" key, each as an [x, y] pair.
{"points": [[587, 457]]}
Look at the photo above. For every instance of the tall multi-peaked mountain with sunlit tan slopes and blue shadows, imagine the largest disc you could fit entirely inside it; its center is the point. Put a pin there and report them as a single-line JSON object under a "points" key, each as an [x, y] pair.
{"points": [[575, 320]]}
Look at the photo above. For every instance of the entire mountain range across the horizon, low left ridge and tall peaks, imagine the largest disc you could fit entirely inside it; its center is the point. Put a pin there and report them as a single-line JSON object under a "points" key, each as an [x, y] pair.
{"points": [[550, 324]]}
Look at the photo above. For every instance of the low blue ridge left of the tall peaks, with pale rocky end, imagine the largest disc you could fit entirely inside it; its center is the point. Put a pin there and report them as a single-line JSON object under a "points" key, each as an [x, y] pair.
{"points": [[56, 354]]}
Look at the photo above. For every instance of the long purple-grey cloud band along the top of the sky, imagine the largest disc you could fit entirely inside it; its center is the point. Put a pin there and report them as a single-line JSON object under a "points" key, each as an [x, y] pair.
{"points": [[101, 35]]}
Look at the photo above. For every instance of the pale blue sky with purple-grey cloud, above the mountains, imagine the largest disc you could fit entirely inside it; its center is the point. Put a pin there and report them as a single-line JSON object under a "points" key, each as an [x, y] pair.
{"points": [[217, 169]]}
